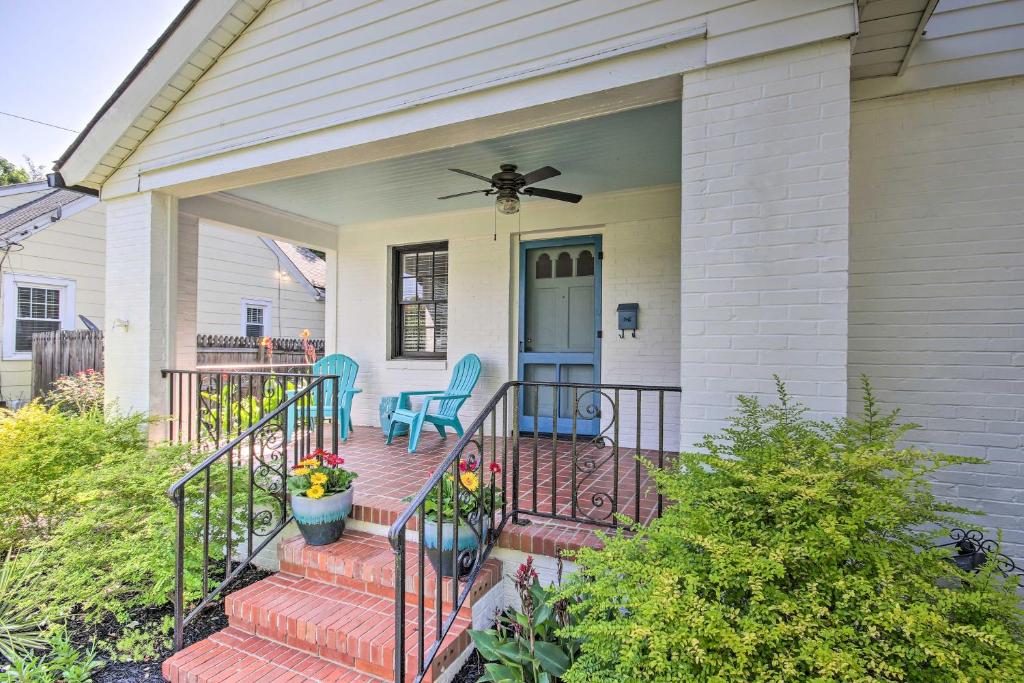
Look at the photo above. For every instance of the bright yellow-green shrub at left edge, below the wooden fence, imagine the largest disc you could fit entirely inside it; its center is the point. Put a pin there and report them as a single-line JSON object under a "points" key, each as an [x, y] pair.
{"points": [[40, 452]]}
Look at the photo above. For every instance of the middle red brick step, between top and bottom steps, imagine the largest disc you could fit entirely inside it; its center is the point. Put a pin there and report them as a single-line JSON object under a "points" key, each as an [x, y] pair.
{"points": [[344, 625]]}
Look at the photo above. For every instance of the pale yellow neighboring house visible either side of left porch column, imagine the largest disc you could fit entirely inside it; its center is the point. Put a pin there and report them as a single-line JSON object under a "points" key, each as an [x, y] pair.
{"points": [[55, 264]]}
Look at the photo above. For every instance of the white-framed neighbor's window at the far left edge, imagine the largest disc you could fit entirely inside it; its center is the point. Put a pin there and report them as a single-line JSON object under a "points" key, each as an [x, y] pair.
{"points": [[31, 305]]}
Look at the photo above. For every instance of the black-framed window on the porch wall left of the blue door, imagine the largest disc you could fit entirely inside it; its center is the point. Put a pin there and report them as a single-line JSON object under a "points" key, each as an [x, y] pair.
{"points": [[420, 313]]}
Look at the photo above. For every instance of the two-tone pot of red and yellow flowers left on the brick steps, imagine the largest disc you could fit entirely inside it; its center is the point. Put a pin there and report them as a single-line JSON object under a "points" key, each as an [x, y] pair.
{"points": [[322, 497]]}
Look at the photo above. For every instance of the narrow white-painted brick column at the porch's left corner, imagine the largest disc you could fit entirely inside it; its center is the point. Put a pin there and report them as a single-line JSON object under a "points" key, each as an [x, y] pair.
{"points": [[142, 301]]}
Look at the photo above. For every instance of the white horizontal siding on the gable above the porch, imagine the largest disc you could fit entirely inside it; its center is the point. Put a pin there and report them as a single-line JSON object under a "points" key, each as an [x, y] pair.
{"points": [[307, 66]]}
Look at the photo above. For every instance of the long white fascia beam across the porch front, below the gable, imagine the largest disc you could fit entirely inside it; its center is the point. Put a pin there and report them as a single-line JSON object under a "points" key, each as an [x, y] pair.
{"points": [[420, 126]]}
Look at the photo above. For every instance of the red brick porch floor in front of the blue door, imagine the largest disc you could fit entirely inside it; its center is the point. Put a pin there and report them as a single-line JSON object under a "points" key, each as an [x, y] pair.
{"points": [[391, 474]]}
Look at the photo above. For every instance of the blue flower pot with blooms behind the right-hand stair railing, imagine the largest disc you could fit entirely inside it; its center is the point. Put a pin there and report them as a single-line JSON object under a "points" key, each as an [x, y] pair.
{"points": [[477, 501]]}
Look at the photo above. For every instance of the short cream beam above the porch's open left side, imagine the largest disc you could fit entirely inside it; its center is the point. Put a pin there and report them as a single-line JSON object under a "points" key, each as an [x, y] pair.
{"points": [[255, 218]]}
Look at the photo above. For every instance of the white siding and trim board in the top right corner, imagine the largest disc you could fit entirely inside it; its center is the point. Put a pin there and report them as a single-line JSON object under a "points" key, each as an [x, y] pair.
{"points": [[965, 41]]}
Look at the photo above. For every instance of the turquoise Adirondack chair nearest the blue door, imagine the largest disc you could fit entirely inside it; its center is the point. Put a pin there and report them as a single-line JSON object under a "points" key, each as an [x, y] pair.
{"points": [[446, 404]]}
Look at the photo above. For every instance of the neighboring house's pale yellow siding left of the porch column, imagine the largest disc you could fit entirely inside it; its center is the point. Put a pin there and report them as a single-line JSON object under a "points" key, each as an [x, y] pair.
{"points": [[74, 249]]}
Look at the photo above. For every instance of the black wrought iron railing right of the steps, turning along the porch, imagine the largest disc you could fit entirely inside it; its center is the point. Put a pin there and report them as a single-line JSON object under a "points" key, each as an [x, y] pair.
{"points": [[556, 452]]}
